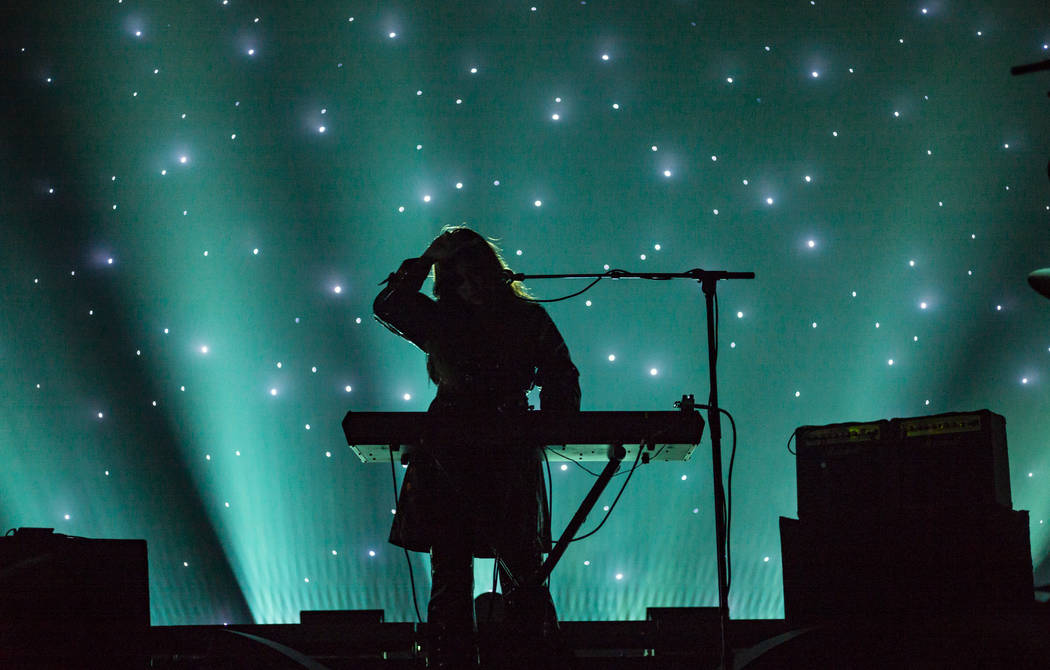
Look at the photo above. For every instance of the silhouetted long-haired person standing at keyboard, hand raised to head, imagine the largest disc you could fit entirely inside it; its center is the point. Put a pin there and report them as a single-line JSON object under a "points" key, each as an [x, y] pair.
{"points": [[464, 498]]}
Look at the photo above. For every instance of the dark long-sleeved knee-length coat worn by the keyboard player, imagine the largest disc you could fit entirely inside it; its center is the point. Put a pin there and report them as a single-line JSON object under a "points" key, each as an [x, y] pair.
{"points": [[485, 360]]}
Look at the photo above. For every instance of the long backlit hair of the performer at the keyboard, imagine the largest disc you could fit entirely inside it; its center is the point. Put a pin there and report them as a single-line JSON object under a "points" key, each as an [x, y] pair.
{"points": [[482, 258]]}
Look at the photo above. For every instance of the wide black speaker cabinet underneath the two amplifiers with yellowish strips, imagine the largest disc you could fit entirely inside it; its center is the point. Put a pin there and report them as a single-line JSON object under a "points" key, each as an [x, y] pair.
{"points": [[932, 560]]}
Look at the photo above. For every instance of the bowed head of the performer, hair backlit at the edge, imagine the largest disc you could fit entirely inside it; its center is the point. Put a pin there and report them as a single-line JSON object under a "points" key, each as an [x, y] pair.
{"points": [[474, 271]]}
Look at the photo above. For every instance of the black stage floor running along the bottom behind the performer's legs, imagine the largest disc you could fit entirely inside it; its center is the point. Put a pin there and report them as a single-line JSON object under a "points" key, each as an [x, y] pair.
{"points": [[690, 639]]}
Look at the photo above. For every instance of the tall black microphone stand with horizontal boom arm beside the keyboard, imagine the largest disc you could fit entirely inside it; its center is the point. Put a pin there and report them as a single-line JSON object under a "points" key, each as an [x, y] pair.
{"points": [[708, 282]]}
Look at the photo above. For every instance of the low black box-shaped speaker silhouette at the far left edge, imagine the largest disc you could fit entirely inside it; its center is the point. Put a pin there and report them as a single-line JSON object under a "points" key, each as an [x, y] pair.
{"points": [[57, 582]]}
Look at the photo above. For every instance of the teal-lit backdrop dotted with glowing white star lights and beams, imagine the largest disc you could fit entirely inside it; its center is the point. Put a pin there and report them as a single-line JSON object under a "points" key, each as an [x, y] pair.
{"points": [[198, 201]]}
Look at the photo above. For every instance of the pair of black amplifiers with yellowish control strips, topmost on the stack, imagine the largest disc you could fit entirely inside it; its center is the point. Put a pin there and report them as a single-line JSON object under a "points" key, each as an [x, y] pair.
{"points": [[881, 470]]}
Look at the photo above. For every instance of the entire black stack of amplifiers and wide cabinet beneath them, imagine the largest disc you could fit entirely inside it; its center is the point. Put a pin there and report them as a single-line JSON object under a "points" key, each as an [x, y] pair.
{"points": [[905, 516]]}
